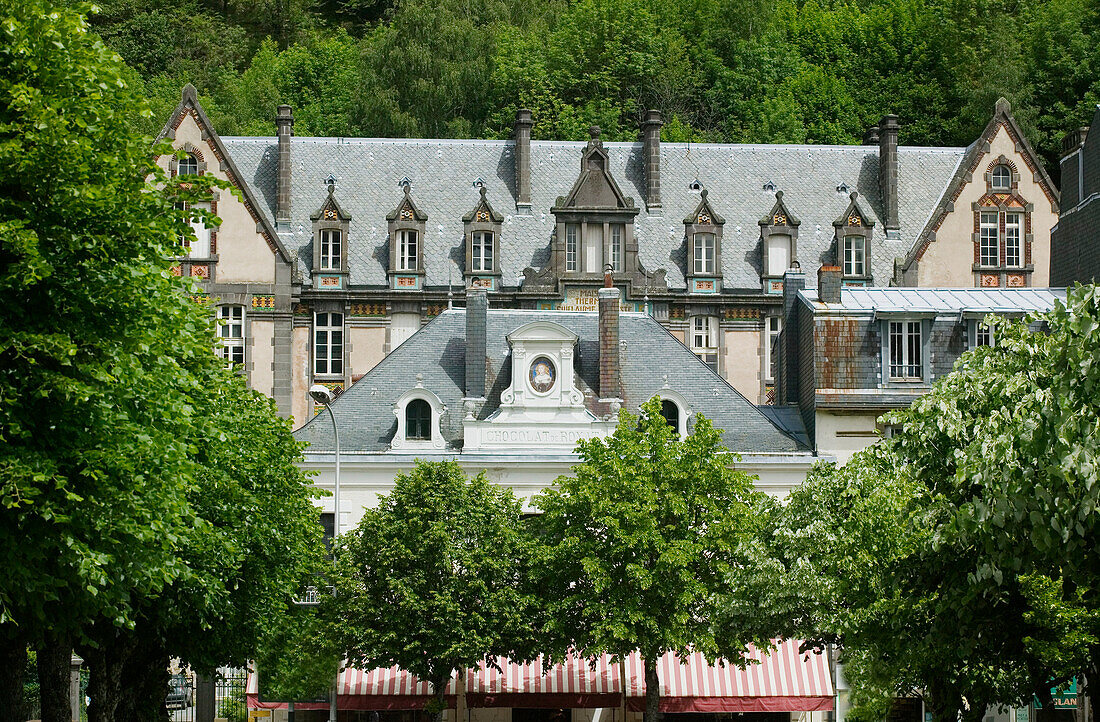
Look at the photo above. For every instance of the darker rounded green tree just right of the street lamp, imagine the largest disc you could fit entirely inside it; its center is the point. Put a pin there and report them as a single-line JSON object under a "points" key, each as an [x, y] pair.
{"points": [[434, 578]]}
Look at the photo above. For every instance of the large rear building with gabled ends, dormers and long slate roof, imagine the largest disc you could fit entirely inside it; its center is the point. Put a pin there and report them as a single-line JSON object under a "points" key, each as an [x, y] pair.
{"points": [[336, 250]]}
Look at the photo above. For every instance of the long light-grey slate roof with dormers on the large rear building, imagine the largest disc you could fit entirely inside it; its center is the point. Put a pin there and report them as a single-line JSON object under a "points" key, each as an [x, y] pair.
{"points": [[444, 172]]}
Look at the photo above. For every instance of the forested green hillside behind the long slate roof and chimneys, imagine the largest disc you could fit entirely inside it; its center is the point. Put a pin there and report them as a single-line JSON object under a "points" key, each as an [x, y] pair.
{"points": [[739, 71]]}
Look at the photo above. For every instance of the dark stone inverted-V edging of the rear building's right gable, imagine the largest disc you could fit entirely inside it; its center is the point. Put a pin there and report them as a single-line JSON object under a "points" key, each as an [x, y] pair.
{"points": [[964, 174]]}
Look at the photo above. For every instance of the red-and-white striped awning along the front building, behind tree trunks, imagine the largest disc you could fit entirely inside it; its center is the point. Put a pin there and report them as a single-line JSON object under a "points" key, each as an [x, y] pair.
{"points": [[782, 681]]}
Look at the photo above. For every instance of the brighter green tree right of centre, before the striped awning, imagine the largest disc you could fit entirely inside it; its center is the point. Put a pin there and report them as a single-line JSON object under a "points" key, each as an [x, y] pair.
{"points": [[637, 543]]}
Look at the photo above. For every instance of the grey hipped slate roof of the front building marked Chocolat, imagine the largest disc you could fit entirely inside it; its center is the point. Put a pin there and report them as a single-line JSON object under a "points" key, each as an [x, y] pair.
{"points": [[367, 422]]}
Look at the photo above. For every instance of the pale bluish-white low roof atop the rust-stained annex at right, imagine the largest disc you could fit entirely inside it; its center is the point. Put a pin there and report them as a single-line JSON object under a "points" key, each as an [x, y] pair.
{"points": [[947, 301]]}
